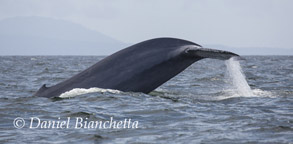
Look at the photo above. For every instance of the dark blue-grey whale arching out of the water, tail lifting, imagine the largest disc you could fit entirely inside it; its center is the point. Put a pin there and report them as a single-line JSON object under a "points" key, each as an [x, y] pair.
{"points": [[139, 68]]}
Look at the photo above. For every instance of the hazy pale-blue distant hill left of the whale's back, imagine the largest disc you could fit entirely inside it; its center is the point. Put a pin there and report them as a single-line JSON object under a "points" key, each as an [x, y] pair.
{"points": [[46, 36]]}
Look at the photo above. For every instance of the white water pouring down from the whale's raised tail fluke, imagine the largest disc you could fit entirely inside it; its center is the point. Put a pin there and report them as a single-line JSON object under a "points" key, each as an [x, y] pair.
{"points": [[237, 78]]}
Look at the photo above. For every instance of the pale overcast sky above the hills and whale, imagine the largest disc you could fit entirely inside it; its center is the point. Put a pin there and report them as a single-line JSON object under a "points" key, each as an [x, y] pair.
{"points": [[236, 23]]}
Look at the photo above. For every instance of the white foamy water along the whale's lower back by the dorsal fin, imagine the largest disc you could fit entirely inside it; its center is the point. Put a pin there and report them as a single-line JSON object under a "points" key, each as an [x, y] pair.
{"points": [[81, 91]]}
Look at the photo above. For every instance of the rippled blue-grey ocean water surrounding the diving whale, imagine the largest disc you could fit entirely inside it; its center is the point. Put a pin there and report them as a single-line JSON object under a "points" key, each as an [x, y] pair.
{"points": [[209, 102]]}
